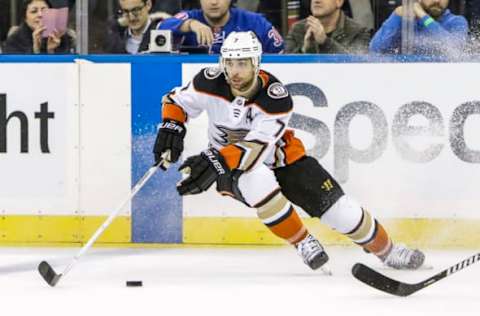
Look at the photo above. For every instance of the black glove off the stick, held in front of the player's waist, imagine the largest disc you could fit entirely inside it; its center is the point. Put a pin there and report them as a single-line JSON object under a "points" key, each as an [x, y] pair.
{"points": [[203, 170]]}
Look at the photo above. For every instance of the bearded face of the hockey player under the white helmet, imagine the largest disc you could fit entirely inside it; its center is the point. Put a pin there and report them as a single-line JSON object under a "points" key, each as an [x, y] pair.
{"points": [[241, 73]]}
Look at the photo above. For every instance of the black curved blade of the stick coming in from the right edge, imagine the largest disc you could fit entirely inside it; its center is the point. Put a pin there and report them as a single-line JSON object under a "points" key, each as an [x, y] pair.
{"points": [[381, 282]]}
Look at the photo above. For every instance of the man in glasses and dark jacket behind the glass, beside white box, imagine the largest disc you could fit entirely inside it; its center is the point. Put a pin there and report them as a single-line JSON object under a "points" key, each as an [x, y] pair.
{"points": [[130, 33]]}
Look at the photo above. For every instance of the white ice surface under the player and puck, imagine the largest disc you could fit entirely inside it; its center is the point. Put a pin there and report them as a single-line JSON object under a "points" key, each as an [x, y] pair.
{"points": [[223, 281]]}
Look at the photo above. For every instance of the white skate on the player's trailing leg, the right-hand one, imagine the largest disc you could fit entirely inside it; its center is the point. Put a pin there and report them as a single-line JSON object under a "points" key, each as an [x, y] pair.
{"points": [[402, 258]]}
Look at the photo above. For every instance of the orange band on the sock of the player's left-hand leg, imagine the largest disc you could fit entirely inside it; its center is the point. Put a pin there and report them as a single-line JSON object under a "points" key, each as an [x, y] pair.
{"points": [[289, 228]]}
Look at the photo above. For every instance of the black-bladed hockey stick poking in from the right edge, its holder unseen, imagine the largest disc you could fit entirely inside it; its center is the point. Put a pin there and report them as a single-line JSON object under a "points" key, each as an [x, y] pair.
{"points": [[383, 283]]}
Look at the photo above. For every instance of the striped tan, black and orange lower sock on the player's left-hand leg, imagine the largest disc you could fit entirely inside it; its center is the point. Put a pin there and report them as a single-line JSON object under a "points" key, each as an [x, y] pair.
{"points": [[281, 218]]}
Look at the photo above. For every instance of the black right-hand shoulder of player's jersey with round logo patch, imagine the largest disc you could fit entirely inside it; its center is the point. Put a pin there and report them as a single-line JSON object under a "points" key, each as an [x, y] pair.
{"points": [[273, 98]]}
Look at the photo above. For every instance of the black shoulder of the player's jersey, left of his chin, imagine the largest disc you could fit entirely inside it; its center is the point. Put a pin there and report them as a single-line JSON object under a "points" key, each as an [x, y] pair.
{"points": [[211, 81]]}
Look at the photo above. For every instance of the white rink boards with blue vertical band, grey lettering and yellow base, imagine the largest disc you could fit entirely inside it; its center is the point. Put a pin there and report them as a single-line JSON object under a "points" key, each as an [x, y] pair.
{"points": [[402, 138]]}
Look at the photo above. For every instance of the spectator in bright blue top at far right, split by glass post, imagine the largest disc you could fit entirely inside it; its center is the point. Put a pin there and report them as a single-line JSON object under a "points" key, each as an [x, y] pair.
{"points": [[437, 31]]}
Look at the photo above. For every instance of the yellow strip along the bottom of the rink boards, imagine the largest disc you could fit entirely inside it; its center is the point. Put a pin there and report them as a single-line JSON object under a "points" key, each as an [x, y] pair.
{"points": [[68, 231]]}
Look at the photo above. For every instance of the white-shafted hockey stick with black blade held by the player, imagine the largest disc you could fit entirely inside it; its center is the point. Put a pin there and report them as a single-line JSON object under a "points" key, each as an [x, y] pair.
{"points": [[46, 270]]}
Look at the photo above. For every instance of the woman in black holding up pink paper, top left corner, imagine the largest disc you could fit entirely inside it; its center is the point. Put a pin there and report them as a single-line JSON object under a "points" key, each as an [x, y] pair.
{"points": [[27, 38]]}
